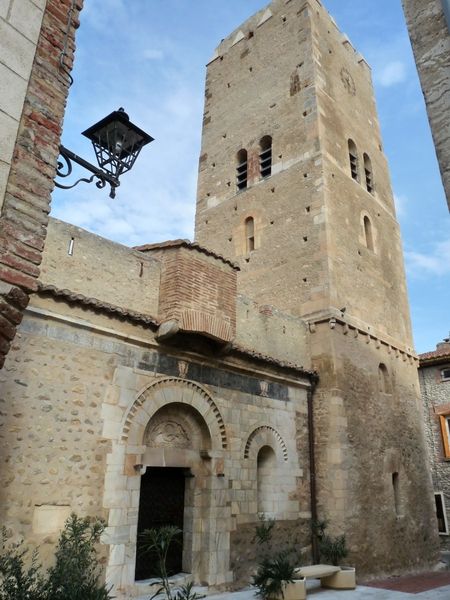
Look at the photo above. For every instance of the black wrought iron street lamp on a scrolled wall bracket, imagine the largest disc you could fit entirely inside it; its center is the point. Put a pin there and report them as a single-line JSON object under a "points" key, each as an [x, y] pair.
{"points": [[117, 143]]}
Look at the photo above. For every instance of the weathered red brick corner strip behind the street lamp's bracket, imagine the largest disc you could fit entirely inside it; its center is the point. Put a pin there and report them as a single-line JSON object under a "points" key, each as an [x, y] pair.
{"points": [[27, 198]]}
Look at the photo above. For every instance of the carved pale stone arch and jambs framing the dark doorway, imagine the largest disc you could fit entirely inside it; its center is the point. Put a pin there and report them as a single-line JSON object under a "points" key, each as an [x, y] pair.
{"points": [[171, 423]]}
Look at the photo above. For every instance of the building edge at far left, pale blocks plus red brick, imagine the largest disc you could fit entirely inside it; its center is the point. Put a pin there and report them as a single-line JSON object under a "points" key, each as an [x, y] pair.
{"points": [[35, 82]]}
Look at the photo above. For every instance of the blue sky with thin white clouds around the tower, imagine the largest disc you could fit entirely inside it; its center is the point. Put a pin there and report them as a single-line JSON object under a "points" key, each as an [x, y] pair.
{"points": [[149, 56]]}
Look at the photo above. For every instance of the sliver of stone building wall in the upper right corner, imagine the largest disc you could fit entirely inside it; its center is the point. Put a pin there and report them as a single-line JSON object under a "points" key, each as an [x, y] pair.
{"points": [[429, 30]]}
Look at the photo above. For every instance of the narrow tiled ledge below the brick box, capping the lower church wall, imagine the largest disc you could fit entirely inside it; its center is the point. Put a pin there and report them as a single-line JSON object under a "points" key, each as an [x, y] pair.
{"points": [[95, 304]]}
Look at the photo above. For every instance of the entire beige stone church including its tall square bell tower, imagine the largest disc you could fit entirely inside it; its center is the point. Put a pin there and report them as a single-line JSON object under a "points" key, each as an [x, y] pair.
{"points": [[266, 368]]}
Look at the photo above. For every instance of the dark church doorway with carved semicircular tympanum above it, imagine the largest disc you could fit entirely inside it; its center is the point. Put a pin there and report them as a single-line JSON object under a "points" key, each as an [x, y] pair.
{"points": [[175, 439]]}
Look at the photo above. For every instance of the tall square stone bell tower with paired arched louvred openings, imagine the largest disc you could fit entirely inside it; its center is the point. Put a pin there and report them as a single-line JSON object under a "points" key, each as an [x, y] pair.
{"points": [[294, 186]]}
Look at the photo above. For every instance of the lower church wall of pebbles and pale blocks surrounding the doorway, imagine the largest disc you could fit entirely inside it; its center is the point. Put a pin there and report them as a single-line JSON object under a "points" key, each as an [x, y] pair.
{"points": [[78, 391]]}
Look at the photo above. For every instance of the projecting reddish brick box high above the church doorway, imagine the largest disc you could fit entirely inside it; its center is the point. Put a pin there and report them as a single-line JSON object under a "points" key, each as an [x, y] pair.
{"points": [[198, 291]]}
